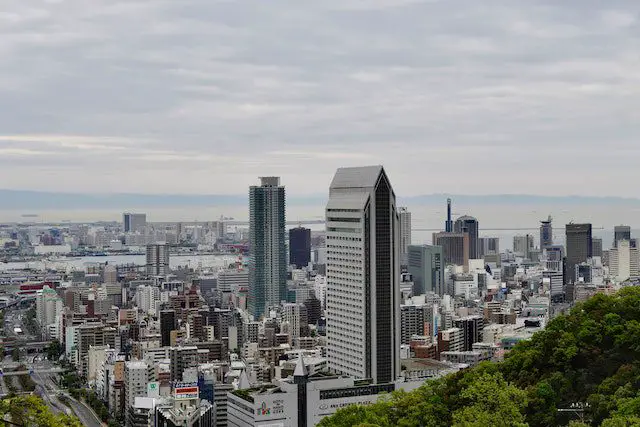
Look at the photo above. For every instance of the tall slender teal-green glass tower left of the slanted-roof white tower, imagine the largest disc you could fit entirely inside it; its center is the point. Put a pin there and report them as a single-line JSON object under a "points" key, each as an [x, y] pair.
{"points": [[267, 256]]}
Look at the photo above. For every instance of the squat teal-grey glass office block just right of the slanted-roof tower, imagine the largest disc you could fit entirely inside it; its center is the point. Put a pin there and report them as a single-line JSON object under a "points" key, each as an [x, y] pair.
{"points": [[426, 266]]}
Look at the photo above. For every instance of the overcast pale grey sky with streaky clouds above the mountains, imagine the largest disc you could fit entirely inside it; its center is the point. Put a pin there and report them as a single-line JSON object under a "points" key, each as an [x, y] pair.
{"points": [[204, 96]]}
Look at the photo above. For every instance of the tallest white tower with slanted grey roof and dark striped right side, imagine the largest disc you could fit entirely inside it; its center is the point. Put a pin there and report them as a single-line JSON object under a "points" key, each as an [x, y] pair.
{"points": [[363, 275]]}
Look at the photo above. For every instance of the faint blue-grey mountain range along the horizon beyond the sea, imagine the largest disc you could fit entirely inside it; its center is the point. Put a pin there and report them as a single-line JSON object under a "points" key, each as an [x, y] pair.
{"points": [[18, 199]]}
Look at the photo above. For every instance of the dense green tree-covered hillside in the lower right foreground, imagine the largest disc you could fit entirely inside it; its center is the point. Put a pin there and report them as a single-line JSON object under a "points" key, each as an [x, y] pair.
{"points": [[590, 357]]}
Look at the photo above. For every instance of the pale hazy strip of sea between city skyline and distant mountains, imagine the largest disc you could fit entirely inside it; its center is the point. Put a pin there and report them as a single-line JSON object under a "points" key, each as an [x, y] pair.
{"points": [[425, 218]]}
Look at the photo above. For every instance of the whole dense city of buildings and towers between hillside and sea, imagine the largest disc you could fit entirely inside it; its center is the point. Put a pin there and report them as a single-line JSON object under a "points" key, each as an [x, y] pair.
{"points": [[219, 323]]}
